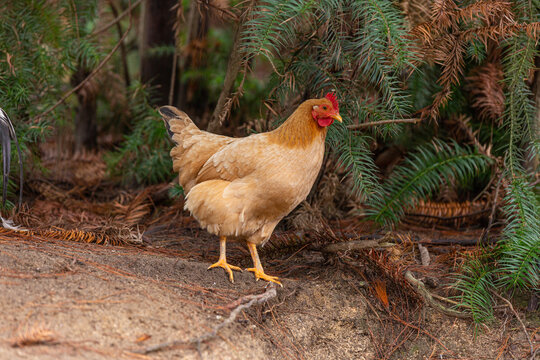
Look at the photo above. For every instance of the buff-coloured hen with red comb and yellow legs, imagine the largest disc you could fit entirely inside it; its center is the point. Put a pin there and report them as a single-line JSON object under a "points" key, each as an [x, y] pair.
{"points": [[240, 188]]}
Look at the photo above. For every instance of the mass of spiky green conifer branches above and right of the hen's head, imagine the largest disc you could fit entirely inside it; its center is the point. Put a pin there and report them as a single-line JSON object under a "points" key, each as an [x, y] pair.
{"points": [[362, 50]]}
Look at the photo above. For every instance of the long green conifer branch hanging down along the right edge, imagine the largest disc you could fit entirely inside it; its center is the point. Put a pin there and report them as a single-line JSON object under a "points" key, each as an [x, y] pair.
{"points": [[518, 263]]}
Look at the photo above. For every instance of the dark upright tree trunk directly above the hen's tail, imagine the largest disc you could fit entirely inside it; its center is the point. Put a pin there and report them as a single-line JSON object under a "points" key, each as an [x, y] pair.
{"points": [[157, 25]]}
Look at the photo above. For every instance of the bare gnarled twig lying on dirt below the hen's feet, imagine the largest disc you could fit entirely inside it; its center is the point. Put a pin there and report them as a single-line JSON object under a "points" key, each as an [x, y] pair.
{"points": [[254, 299]]}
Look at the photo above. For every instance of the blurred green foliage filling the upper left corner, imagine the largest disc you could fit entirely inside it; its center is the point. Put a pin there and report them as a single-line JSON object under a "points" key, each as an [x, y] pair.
{"points": [[41, 43]]}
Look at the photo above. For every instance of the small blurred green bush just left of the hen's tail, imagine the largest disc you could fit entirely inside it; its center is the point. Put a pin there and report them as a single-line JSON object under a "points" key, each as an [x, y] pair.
{"points": [[143, 157]]}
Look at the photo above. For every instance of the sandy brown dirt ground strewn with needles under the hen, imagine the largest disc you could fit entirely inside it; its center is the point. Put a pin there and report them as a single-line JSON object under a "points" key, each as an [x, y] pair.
{"points": [[90, 301]]}
